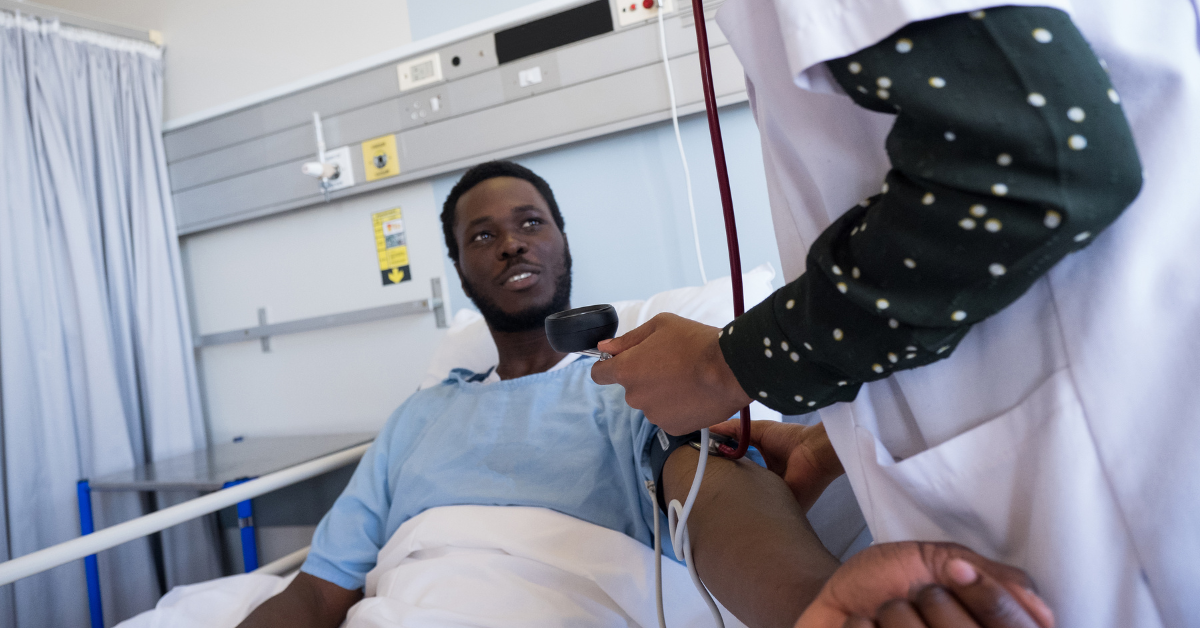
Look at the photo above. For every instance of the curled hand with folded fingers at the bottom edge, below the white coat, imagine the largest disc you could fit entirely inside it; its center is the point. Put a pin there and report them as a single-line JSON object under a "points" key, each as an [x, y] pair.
{"points": [[935, 585]]}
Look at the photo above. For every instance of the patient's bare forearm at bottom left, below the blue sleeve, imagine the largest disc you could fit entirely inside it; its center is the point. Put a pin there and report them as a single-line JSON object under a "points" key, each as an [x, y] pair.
{"points": [[309, 602]]}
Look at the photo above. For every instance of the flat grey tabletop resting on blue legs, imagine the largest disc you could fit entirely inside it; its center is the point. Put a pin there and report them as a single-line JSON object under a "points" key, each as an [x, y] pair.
{"points": [[209, 470]]}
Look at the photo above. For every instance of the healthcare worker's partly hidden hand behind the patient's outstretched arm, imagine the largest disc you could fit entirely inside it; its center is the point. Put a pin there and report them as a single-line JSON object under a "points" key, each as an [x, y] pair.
{"points": [[801, 454]]}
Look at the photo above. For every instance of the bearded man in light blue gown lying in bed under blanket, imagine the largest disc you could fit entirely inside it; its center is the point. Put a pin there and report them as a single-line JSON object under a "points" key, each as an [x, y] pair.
{"points": [[418, 529]]}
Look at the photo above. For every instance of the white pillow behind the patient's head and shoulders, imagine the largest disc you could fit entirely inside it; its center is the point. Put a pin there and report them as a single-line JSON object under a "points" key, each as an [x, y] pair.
{"points": [[469, 345]]}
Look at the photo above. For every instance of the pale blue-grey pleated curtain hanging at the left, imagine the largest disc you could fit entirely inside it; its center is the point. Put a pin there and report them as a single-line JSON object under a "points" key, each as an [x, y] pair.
{"points": [[97, 368]]}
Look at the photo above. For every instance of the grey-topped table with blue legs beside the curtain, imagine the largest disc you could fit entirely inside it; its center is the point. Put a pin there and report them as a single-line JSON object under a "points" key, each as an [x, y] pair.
{"points": [[206, 471]]}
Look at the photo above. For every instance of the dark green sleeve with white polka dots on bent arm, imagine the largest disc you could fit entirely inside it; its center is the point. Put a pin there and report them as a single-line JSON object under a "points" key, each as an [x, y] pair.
{"points": [[1010, 152]]}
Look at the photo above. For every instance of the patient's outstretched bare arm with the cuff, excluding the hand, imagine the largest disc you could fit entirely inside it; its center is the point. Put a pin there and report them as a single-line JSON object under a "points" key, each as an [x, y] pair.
{"points": [[753, 546]]}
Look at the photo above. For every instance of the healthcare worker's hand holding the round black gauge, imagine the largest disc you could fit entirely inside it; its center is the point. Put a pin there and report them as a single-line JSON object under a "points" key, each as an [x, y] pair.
{"points": [[673, 370]]}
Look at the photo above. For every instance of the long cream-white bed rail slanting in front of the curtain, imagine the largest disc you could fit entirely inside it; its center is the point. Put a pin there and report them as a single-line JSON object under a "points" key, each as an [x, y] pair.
{"points": [[73, 551]]}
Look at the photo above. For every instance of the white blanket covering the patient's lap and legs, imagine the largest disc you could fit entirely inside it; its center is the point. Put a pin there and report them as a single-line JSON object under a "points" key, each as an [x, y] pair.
{"points": [[472, 566]]}
